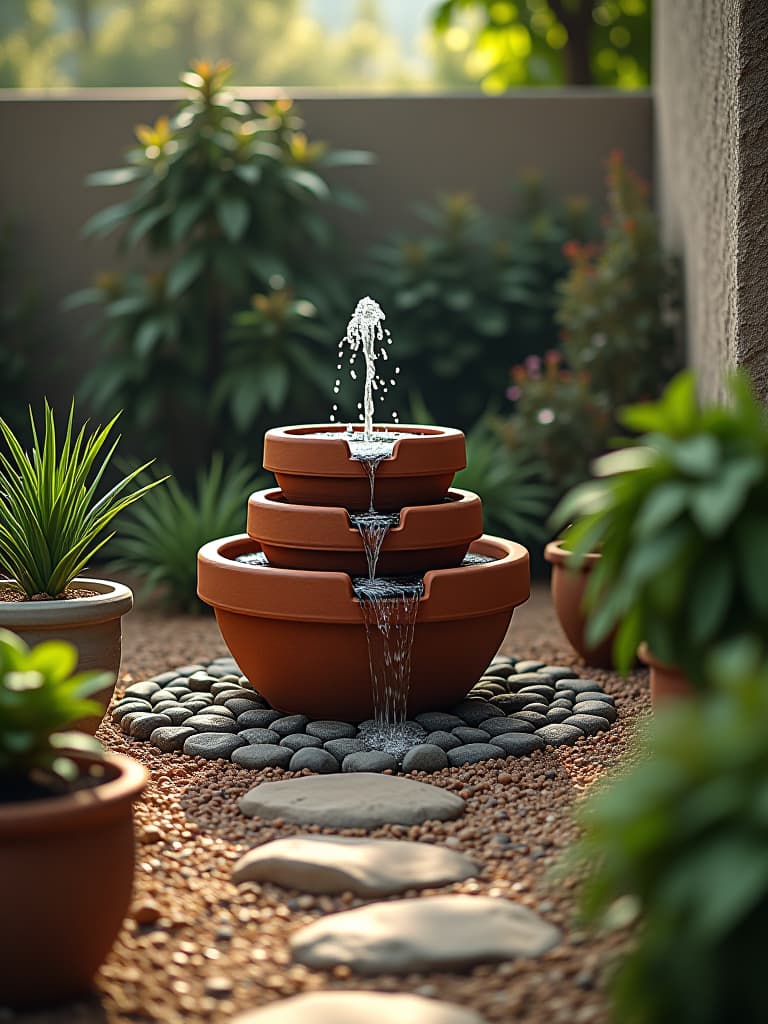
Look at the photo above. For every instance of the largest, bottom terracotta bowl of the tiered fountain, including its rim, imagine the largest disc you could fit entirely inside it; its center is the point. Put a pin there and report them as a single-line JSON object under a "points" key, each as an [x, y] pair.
{"points": [[301, 638]]}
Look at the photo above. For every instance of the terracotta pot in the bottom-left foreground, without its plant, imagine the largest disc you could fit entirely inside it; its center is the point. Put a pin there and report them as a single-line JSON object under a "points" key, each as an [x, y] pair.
{"points": [[68, 865]]}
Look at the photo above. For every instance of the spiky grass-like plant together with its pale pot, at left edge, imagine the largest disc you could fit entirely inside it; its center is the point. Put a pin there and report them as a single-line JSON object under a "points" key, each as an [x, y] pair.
{"points": [[52, 525]]}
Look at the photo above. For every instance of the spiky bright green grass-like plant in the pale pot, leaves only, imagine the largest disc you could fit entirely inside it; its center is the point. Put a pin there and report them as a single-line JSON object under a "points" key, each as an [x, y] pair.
{"points": [[52, 522]]}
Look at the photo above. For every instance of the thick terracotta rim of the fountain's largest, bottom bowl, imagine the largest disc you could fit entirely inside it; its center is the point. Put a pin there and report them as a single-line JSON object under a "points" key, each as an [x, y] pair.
{"points": [[327, 596]]}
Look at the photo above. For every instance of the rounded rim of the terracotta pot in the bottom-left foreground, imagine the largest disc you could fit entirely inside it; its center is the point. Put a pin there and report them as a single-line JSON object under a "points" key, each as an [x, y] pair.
{"points": [[73, 810]]}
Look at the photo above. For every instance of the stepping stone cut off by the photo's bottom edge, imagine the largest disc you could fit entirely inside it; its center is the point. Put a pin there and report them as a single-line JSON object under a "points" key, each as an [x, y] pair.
{"points": [[355, 1008]]}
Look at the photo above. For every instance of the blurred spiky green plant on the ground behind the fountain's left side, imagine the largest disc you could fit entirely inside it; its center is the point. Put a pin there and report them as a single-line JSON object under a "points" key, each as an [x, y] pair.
{"points": [[161, 538]]}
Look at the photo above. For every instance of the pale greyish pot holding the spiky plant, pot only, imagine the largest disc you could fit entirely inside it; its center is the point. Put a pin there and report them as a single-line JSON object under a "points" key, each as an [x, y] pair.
{"points": [[93, 624]]}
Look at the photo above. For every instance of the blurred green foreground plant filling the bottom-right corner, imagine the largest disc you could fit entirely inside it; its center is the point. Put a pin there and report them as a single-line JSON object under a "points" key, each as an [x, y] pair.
{"points": [[676, 846]]}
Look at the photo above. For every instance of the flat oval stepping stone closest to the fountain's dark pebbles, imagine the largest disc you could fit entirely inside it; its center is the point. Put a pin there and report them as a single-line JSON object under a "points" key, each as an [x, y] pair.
{"points": [[351, 801]]}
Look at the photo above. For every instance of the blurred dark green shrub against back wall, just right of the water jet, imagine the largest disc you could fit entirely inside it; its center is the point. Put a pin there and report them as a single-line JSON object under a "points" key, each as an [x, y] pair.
{"points": [[476, 293]]}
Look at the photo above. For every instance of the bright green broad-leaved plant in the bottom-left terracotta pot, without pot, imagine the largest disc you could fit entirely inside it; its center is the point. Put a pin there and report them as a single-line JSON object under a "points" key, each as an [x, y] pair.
{"points": [[39, 699]]}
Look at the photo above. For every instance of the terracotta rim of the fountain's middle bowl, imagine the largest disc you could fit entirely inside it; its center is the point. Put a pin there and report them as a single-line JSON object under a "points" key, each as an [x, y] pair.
{"points": [[276, 522]]}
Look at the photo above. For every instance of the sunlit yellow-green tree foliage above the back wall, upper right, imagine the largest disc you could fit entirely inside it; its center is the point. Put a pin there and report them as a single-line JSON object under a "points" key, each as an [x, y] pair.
{"points": [[549, 42]]}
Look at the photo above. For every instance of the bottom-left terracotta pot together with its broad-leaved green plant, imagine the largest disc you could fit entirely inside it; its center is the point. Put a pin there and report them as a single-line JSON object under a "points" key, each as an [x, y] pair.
{"points": [[66, 826]]}
